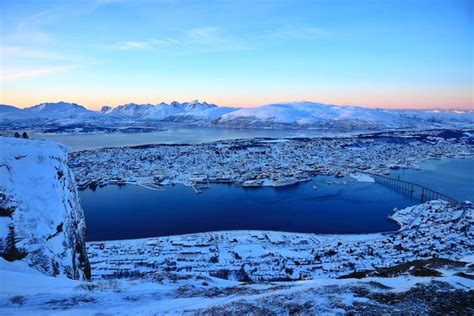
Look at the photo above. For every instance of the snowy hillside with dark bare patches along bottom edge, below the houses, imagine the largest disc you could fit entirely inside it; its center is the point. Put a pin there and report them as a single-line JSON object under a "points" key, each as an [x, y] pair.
{"points": [[26, 292]]}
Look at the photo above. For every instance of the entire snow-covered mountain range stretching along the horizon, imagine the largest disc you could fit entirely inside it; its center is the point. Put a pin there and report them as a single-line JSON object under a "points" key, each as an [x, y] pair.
{"points": [[279, 115]]}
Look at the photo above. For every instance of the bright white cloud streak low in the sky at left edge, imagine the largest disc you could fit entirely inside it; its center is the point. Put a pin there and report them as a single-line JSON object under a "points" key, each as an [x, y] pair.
{"points": [[15, 73]]}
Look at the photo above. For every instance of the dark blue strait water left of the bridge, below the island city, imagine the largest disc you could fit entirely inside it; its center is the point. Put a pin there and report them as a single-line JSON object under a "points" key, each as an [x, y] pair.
{"points": [[130, 211]]}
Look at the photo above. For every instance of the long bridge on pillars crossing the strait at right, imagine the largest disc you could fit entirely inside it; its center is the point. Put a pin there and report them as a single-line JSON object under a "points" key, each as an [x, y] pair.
{"points": [[412, 189]]}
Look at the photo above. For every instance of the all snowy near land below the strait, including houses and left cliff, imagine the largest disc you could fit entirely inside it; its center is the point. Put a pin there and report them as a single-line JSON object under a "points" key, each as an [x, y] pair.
{"points": [[425, 267]]}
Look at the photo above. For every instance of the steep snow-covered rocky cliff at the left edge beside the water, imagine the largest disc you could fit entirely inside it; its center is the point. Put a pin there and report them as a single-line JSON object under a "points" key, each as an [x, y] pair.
{"points": [[41, 220]]}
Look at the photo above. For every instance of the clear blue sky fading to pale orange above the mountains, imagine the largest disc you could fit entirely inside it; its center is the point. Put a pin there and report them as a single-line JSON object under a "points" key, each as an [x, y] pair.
{"points": [[379, 53]]}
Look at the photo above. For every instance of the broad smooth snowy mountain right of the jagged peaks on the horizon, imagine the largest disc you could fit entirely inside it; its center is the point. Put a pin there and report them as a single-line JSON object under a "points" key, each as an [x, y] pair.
{"points": [[309, 114]]}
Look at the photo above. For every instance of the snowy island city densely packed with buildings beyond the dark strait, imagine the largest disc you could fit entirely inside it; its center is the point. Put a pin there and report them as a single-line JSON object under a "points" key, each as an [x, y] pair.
{"points": [[263, 162]]}
